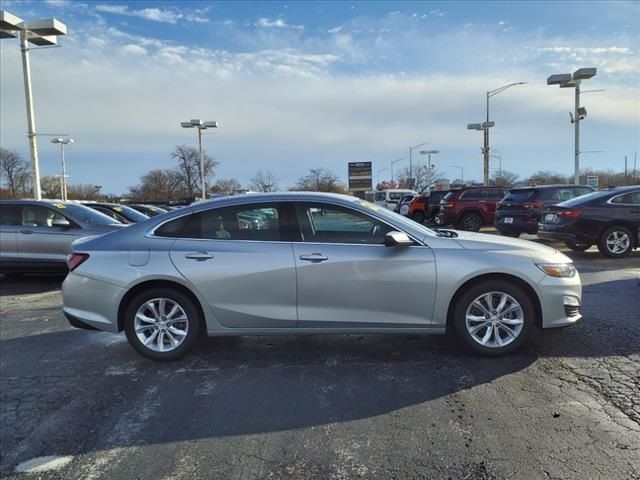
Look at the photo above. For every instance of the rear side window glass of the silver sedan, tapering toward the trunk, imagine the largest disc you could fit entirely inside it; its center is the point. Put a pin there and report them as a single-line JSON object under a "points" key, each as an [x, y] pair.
{"points": [[242, 222]]}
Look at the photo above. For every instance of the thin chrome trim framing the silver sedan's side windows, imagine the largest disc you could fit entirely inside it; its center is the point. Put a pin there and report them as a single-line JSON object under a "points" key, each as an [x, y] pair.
{"points": [[151, 232]]}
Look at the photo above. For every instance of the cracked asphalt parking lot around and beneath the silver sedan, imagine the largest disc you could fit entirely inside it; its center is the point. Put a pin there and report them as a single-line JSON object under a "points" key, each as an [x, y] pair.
{"points": [[324, 407]]}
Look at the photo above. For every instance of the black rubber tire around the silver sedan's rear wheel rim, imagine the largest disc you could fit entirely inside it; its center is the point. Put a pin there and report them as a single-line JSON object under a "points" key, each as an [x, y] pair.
{"points": [[194, 331]]}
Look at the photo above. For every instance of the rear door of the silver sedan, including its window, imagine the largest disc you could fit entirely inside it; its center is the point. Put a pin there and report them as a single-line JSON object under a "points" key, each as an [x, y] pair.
{"points": [[239, 260]]}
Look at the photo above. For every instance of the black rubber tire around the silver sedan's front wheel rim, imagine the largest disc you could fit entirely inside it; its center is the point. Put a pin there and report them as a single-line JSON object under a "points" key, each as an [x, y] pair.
{"points": [[464, 301]]}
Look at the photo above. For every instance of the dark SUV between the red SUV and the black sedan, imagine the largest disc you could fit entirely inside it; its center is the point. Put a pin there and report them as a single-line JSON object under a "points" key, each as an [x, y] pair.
{"points": [[521, 210]]}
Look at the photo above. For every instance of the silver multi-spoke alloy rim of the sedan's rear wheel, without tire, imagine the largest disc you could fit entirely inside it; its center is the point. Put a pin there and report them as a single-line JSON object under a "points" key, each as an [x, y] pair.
{"points": [[161, 324]]}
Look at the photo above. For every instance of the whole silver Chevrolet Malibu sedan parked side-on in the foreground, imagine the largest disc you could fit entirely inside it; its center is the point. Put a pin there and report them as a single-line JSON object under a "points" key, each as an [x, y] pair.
{"points": [[313, 263]]}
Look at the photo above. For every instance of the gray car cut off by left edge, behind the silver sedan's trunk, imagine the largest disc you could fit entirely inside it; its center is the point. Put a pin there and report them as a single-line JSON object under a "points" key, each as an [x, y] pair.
{"points": [[36, 235]]}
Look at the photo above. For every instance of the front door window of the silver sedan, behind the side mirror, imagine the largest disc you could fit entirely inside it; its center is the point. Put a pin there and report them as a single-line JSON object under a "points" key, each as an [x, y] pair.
{"points": [[321, 223]]}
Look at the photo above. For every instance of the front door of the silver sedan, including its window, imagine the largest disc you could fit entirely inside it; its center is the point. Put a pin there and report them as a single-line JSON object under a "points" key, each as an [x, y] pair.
{"points": [[348, 278]]}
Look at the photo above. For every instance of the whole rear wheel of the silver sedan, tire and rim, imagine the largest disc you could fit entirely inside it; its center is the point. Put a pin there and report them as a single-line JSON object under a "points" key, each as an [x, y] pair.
{"points": [[162, 324]]}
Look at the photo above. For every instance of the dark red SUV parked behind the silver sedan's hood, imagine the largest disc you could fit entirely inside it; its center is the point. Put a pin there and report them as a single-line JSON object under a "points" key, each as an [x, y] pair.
{"points": [[470, 208]]}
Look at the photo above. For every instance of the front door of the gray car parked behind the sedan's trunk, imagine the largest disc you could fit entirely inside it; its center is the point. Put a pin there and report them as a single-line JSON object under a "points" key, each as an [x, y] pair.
{"points": [[38, 237]]}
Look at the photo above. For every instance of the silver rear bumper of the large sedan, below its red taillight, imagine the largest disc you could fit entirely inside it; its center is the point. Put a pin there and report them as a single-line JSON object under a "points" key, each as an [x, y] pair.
{"points": [[91, 302]]}
